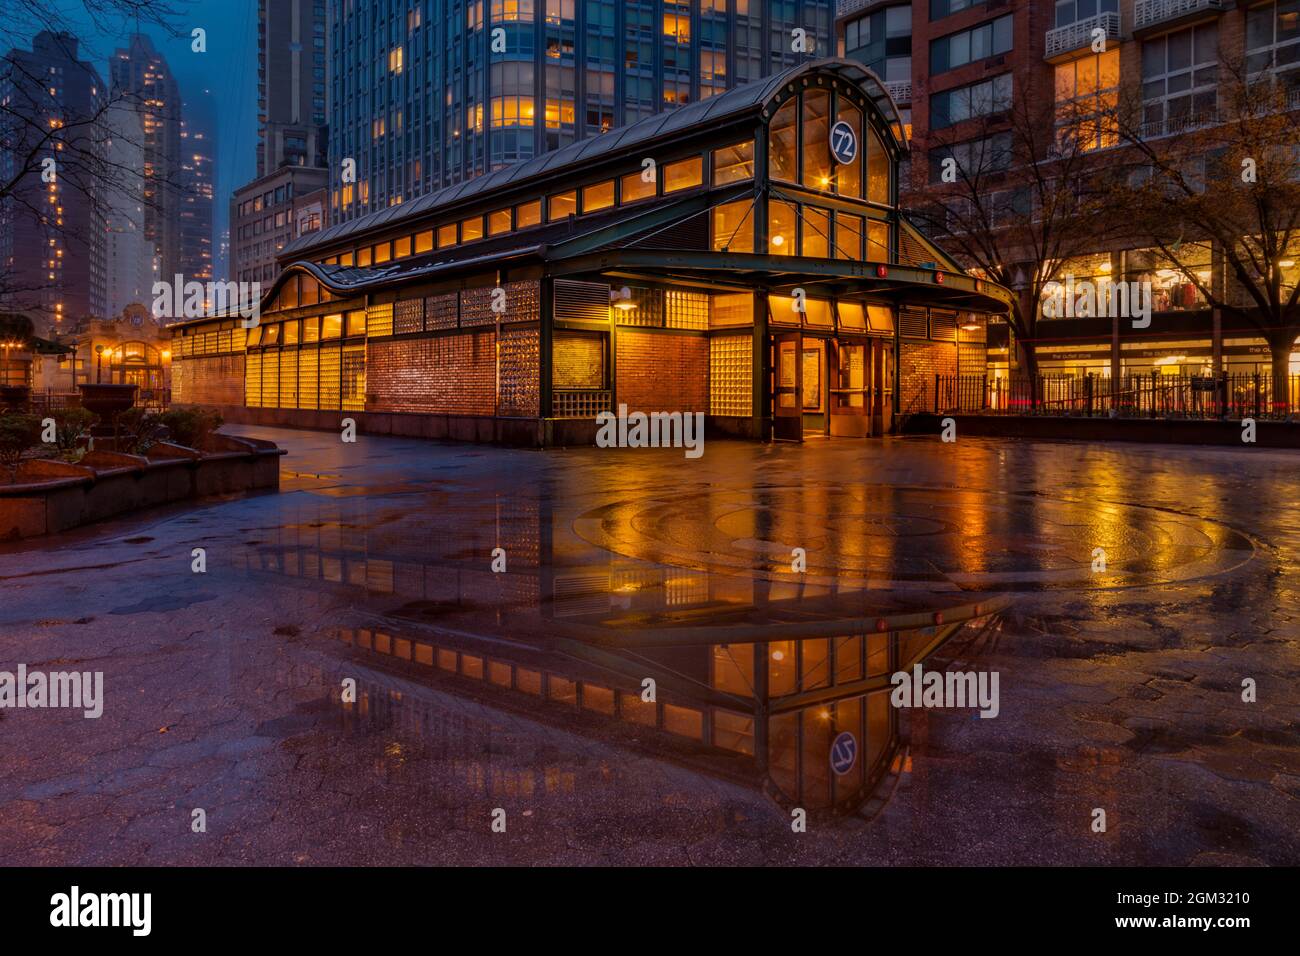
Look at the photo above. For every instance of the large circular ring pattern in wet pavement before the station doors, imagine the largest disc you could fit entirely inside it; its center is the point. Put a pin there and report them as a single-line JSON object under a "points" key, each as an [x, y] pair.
{"points": [[907, 538]]}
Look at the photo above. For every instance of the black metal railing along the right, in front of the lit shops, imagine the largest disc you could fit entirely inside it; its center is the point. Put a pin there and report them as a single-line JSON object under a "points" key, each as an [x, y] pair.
{"points": [[1154, 396]]}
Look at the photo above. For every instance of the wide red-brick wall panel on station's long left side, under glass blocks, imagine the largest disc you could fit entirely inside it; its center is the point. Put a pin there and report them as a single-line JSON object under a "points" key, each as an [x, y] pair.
{"points": [[453, 375]]}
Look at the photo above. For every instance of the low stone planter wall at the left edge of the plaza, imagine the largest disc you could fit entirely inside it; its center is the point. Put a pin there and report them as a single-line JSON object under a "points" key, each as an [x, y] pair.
{"points": [[53, 496]]}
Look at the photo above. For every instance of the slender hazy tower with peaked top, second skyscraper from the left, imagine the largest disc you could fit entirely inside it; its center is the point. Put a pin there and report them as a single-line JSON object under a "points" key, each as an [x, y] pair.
{"points": [[142, 73]]}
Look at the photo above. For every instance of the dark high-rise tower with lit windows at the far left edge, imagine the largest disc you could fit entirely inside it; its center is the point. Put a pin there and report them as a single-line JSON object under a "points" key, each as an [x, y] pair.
{"points": [[53, 222]]}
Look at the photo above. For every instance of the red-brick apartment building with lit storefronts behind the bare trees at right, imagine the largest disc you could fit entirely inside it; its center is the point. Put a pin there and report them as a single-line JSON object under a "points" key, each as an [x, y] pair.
{"points": [[957, 68]]}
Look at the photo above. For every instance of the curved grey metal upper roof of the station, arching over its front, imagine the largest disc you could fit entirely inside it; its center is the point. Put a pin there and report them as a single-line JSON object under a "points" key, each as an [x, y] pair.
{"points": [[726, 106]]}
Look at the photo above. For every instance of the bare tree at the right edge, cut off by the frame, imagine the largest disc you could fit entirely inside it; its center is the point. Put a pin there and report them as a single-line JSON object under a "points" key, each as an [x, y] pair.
{"points": [[1229, 179]]}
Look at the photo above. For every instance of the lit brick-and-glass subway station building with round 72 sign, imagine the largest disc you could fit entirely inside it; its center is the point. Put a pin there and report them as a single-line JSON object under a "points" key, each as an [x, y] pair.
{"points": [[743, 257]]}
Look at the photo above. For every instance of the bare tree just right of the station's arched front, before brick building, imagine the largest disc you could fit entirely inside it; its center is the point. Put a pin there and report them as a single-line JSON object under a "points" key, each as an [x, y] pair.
{"points": [[1015, 194]]}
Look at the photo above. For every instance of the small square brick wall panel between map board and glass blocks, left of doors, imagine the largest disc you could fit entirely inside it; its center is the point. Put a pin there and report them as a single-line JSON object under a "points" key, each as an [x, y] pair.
{"points": [[662, 373]]}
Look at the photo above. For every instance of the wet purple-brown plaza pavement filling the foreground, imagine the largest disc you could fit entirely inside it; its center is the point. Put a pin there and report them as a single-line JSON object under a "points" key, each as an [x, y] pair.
{"points": [[1121, 690]]}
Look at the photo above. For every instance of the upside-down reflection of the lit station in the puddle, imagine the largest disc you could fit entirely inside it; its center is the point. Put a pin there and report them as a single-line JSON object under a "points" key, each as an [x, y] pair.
{"points": [[770, 681]]}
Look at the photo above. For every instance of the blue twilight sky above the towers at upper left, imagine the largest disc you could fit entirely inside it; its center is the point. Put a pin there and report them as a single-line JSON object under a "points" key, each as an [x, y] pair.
{"points": [[228, 70]]}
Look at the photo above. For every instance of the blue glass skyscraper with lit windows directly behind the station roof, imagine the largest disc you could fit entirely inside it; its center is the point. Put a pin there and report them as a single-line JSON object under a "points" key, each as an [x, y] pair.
{"points": [[424, 96]]}
